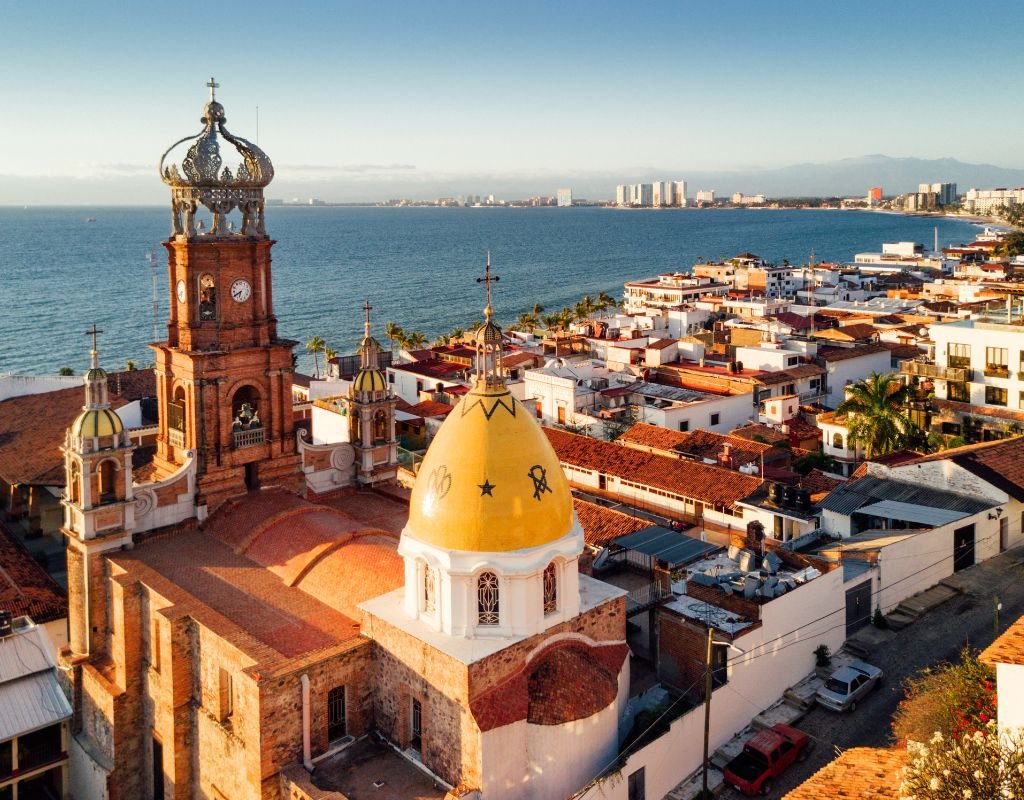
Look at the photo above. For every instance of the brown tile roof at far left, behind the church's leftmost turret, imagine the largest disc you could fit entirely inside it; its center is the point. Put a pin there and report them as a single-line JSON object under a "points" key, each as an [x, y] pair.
{"points": [[33, 427]]}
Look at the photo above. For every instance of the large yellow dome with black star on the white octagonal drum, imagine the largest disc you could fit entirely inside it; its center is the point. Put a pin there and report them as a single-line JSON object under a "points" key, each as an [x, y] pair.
{"points": [[491, 482]]}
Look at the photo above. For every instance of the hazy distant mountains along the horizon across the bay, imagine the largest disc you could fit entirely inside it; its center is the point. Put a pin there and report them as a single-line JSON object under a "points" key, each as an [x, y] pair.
{"points": [[344, 185]]}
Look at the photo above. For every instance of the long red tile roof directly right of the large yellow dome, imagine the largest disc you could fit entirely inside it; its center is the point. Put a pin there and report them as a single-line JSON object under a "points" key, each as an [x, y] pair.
{"points": [[689, 479]]}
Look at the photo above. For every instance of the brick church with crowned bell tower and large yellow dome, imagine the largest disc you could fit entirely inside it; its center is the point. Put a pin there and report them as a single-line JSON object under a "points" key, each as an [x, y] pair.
{"points": [[255, 617]]}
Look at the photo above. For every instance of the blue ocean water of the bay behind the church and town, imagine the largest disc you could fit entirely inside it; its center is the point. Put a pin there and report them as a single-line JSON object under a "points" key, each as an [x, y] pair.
{"points": [[60, 273]]}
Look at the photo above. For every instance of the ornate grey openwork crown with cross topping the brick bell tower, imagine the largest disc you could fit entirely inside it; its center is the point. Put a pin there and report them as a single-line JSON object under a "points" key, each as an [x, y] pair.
{"points": [[202, 179]]}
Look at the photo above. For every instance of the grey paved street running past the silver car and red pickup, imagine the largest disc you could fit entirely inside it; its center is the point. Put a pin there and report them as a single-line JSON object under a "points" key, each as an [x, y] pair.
{"points": [[938, 637]]}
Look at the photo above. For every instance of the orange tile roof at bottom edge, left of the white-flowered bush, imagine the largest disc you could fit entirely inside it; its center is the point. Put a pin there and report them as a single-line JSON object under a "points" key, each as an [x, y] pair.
{"points": [[861, 774]]}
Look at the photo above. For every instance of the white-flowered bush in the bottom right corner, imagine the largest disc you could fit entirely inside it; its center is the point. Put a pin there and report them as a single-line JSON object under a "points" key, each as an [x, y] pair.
{"points": [[983, 766]]}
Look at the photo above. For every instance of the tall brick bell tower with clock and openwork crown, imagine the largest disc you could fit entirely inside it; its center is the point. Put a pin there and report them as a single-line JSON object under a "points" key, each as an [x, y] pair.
{"points": [[224, 377]]}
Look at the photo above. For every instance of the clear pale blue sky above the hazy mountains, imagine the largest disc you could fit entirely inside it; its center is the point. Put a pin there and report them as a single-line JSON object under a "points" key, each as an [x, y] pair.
{"points": [[98, 91]]}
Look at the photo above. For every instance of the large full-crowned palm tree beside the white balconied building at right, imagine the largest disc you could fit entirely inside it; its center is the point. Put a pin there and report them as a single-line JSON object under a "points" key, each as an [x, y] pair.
{"points": [[876, 414]]}
